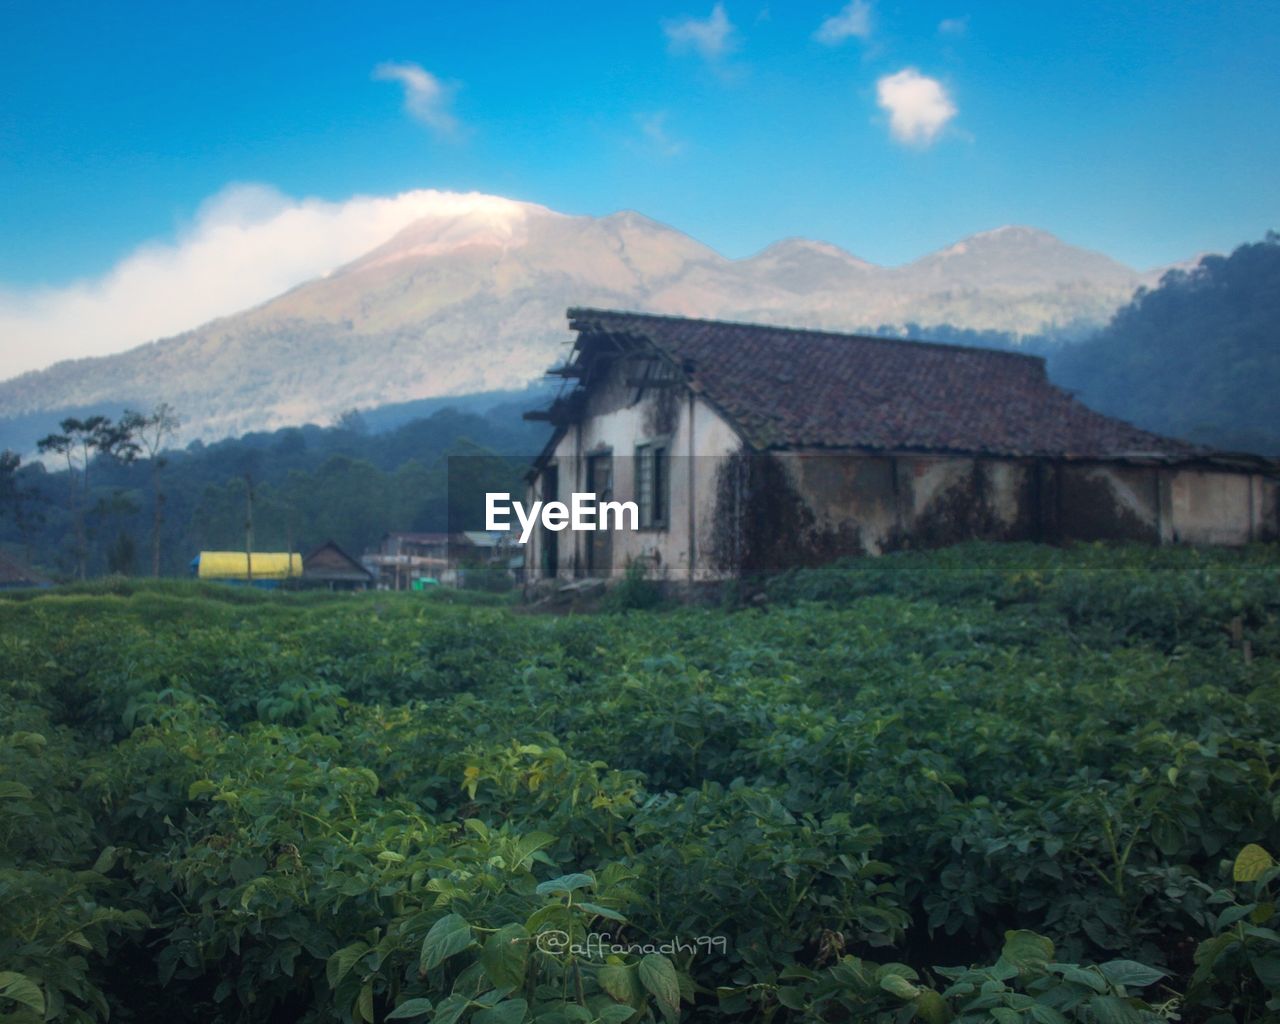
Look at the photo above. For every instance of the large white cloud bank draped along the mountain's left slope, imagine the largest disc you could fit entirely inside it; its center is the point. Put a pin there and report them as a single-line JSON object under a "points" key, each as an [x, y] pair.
{"points": [[249, 244]]}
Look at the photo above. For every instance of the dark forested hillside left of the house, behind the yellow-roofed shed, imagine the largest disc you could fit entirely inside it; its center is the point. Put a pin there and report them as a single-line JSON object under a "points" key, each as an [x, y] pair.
{"points": [[310, 484]]}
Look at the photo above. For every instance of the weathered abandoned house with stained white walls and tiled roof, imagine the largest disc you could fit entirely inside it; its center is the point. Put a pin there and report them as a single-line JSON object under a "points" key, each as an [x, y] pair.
{"points": [[755, 449]]}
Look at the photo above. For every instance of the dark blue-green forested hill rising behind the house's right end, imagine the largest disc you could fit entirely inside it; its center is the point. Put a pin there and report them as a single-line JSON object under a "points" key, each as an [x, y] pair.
{"points": [[1197, 358]]}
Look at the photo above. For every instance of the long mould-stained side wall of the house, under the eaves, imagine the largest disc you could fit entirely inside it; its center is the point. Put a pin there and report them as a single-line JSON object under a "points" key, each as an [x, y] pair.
{"points": [[780, 511]]}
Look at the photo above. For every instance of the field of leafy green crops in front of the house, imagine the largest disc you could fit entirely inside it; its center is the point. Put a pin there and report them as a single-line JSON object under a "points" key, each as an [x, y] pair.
{"points": [[989, 784]]}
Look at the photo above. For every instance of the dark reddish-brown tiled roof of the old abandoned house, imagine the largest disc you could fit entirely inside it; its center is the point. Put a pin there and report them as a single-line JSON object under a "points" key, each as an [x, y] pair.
{"points": [[790, 388]]}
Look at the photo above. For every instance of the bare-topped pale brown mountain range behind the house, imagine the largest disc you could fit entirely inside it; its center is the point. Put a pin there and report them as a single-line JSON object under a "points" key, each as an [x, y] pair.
{"points": [[476, 301]]}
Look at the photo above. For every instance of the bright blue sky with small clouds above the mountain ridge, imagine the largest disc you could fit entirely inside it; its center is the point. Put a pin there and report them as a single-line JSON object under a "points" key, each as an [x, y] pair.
{"points": [[1148, 131]]}
